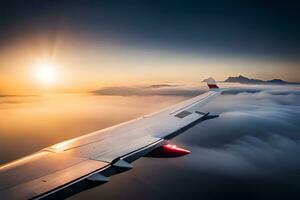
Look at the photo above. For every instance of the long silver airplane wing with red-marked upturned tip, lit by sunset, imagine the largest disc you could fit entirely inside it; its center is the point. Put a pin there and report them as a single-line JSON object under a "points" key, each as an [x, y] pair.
{"points": [[93, 157]]}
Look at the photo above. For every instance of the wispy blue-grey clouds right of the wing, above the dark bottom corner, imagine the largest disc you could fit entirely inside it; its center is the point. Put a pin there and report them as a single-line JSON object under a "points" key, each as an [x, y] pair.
{"points": [[257, 135]]}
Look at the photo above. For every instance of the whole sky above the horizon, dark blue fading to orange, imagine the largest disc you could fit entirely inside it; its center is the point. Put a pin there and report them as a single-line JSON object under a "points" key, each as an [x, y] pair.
{"points": [[93, 44]]}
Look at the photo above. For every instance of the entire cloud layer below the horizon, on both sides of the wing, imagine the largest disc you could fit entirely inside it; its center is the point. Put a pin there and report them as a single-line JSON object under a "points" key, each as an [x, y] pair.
{"points": [[250, 152]]}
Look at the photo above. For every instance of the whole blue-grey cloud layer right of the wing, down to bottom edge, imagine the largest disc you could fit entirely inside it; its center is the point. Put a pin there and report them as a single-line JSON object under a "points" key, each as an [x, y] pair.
{"points": [[250, 152]]}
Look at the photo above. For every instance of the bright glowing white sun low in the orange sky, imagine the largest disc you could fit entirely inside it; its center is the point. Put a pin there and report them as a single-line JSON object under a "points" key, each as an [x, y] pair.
{"points": [[45, 73]]}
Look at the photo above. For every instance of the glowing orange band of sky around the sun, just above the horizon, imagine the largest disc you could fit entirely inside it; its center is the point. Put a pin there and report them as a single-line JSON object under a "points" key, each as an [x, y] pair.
{"points": [[86, 65]]}
